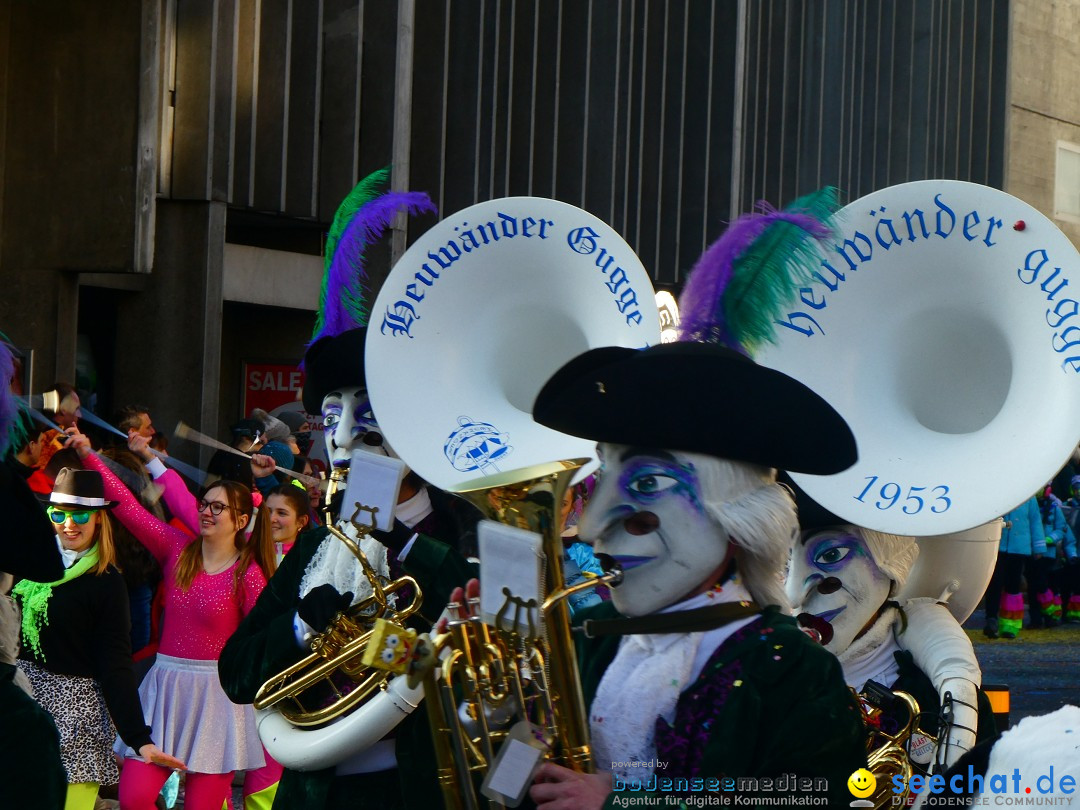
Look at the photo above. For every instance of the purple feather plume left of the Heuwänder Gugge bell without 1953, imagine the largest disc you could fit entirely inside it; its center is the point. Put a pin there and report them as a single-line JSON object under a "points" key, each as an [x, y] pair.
{"points": [[345, 294]]}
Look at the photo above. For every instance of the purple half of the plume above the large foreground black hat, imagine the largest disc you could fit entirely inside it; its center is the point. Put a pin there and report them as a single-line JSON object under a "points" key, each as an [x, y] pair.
{"points": [[703, 306]]}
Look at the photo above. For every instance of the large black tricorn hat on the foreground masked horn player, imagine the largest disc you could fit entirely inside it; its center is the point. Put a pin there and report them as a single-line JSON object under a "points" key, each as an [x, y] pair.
{"points": [[698, 398]]}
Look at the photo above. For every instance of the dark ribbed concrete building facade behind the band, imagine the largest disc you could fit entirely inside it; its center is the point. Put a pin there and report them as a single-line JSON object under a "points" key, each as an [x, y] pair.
{"points": [[168, 168]]}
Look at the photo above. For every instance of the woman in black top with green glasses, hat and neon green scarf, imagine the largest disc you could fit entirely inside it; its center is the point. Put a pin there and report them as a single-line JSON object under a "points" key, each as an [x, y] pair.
{"points": [[77, 647]]}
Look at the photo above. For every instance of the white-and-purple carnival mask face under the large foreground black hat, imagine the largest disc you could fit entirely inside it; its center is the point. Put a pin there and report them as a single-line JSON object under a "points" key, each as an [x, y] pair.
{"points": [[649, 514]]}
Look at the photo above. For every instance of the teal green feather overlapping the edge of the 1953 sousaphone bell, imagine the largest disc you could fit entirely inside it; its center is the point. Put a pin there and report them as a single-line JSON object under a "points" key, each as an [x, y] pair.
{"points": [[767, 277]]}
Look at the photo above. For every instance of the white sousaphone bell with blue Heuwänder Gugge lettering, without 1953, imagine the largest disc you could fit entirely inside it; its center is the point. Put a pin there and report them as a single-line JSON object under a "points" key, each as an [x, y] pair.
{"points": [[478, 315]]}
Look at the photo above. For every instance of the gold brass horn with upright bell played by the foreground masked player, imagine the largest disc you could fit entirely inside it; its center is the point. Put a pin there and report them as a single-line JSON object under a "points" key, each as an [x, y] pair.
{"points": [[519, 669]]}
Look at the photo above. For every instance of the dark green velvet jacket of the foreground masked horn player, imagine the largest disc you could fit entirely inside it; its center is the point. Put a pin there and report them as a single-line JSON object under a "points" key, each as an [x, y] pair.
{"points": [[791, 714]]}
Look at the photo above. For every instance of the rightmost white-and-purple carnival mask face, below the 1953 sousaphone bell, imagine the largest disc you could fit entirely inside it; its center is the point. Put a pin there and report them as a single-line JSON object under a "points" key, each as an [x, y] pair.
{"points": [[834, 577]]}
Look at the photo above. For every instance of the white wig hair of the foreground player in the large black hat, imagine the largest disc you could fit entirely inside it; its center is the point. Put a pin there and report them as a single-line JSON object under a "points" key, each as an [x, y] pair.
{"points": [[759, 517]]}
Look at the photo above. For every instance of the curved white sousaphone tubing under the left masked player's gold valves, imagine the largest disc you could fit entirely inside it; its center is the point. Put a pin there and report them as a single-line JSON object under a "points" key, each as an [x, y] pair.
{"points": [[327, 747]]}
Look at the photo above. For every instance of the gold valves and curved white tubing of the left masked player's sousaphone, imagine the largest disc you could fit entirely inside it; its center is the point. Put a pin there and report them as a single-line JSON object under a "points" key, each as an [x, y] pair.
{"points": [[330, 706]]}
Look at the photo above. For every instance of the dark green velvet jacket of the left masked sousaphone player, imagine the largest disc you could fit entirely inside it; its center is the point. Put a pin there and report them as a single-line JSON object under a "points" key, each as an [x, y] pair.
{"points": [[265, 644]]}
